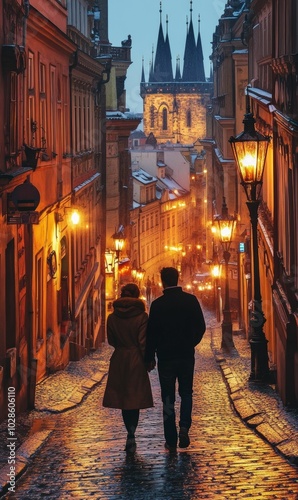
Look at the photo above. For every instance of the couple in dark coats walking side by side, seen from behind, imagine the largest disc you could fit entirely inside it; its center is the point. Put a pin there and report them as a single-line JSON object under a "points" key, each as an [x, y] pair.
{"points": [[174, 327]]}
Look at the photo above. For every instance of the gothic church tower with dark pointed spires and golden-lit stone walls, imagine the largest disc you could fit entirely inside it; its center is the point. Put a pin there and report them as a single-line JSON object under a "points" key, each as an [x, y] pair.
{"points": [[174, 107]]}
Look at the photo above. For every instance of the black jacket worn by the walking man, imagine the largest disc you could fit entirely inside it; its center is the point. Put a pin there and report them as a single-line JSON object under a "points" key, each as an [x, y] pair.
{"points": [[176, 325]]}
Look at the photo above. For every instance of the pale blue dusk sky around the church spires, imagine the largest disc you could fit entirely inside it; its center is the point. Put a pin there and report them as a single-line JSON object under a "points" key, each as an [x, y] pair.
{"points": [[140, 19]]}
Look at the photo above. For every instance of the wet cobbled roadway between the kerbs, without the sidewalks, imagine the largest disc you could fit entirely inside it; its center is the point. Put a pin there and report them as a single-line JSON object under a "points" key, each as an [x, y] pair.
{"points": [[84, 458]]}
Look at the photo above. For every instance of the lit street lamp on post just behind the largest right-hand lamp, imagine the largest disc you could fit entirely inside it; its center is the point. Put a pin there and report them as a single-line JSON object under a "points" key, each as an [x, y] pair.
{"points": [[226, 224]]}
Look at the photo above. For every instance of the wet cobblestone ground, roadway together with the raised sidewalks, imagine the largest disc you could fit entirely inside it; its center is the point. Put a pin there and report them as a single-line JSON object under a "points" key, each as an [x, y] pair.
{"points": [[83, 456]]}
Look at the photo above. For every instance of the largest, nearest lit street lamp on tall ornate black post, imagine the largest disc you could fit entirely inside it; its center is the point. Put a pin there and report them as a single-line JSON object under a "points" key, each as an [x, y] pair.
{"points": [[250, 150]]}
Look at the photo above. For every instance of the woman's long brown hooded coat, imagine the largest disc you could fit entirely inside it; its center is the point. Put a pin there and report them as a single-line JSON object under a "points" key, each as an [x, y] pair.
{"points": [[128, 385]]}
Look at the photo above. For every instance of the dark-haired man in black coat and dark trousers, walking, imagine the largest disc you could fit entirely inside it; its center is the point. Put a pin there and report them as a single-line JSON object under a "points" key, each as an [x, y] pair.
{"points": [[176, 325]]}
